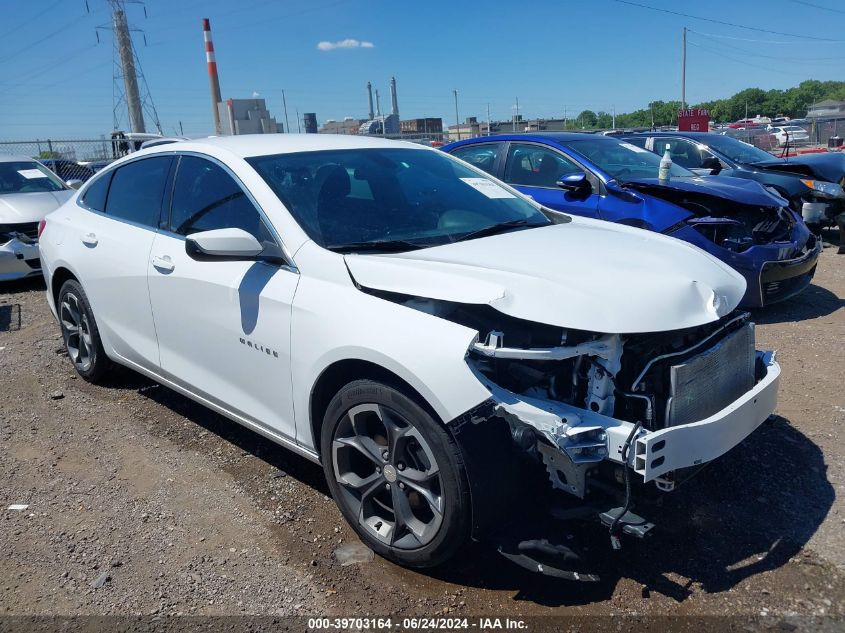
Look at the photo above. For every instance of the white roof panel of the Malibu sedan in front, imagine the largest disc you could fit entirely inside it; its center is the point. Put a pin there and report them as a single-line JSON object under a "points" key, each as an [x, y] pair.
{"points": [[247, 145]]}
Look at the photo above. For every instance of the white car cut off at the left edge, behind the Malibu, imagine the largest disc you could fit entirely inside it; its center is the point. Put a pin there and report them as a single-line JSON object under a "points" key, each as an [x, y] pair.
{"points": [[28, 192]]}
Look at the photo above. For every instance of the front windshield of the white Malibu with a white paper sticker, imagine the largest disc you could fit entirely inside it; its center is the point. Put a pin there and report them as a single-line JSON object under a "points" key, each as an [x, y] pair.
{"points": [[410, 198]]}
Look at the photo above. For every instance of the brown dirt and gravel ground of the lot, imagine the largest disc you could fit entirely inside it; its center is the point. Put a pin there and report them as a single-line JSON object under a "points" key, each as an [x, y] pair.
{"points": [[141, 502]]}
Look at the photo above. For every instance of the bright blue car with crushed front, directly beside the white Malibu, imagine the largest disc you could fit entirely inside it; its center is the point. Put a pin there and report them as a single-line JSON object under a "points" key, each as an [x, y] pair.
{"points": [[738, 221]]}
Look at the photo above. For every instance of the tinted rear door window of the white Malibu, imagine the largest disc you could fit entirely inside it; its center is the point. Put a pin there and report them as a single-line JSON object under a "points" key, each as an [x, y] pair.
{"points": [[137, 189]]}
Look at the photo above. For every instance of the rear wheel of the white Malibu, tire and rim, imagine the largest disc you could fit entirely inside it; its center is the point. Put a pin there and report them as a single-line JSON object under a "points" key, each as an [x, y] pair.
{"points": [[80, 333]]}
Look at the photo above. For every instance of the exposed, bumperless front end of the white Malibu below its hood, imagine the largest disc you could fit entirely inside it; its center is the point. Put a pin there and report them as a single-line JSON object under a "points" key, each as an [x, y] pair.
{"points": [[594, 410]]}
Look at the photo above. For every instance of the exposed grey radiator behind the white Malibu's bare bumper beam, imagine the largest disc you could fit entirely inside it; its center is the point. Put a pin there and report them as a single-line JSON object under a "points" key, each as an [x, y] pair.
{"points": [[711, 380]]}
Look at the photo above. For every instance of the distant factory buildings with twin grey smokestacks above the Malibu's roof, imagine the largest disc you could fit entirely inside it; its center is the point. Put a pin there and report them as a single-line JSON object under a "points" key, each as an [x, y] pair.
{"points": [[383, 124]]}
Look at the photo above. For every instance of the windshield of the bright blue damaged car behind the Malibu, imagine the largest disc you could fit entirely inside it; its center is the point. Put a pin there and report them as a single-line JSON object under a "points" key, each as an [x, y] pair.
{"points": [[623, 161]]}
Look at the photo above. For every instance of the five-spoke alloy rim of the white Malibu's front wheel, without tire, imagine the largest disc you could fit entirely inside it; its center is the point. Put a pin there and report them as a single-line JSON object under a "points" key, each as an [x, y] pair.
{"points": [[388, 476]]}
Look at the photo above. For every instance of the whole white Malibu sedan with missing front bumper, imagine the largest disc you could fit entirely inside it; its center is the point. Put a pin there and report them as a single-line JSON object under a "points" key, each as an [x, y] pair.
{"points": [[413, 324]]}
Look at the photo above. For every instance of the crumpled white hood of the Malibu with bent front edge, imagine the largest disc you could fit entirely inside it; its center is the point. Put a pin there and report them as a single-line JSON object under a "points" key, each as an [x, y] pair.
{"points": [[586, 274]]}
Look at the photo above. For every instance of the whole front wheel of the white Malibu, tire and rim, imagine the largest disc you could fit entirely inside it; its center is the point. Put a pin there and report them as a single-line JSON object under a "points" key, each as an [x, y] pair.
{"points": [[396, 474]]}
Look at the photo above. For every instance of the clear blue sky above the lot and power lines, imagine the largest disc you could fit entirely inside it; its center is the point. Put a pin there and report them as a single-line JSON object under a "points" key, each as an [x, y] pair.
{"points": [[556, 57]]}
